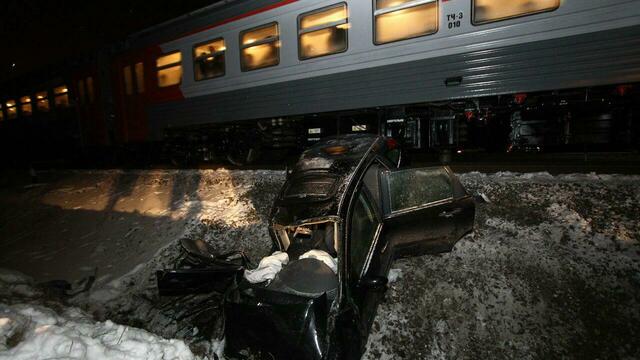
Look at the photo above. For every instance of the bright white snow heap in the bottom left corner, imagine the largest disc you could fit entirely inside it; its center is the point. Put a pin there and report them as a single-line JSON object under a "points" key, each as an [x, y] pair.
{"points": [[37, 332]]}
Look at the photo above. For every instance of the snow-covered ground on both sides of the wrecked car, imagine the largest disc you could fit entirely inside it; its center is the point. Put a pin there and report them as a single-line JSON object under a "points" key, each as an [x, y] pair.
{"points": [[552, 269]]}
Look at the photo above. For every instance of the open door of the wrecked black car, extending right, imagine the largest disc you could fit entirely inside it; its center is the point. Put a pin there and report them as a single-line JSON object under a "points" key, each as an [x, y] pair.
{"points": [[426, 210]]}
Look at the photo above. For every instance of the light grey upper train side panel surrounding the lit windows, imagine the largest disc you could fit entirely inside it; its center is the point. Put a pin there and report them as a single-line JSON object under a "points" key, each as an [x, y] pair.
{"points": [[574, 17]]}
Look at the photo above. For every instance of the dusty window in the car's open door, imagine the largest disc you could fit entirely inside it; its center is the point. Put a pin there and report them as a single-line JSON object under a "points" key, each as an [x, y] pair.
{"points": [[417, 187]]}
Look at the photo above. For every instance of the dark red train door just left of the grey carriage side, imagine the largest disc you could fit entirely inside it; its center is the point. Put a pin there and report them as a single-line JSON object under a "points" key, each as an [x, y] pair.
{"points": [[131, 88]]}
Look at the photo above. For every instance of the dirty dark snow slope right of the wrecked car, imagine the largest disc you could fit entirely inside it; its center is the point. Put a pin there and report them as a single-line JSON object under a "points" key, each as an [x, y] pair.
{"points": [[551, 271]]}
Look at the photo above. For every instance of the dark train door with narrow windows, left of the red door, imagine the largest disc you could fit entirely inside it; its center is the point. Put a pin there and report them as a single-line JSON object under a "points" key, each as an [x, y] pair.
{"points": [[89, 108]]}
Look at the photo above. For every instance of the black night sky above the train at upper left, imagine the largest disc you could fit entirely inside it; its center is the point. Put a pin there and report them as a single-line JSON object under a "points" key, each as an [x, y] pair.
{"points": [[37, 33]]}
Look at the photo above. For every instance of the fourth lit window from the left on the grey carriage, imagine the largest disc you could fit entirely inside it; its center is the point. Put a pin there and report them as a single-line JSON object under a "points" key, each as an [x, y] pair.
{"points": [[323, 32]]}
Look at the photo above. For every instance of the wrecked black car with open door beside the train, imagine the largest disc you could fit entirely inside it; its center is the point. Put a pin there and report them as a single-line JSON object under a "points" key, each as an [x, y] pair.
{"points": [[346, 197]]}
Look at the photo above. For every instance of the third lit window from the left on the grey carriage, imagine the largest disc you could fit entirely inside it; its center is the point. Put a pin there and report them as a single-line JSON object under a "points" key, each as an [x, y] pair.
{"points": [[260, 47]]}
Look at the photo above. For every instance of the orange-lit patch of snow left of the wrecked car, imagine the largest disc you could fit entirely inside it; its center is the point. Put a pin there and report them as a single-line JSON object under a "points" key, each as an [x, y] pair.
{"points": [[159, 194]]}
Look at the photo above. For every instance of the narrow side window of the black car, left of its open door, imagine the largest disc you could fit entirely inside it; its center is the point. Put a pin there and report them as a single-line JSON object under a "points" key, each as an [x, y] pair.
{"points": [[363, 226]]}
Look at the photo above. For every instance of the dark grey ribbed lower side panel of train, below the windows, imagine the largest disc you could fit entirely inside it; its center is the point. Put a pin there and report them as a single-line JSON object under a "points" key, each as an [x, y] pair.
{"points": [[604, 57]]}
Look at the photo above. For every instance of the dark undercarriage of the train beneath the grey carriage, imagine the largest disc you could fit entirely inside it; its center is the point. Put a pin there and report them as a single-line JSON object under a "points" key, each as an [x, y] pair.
{"points": [[598, 119]]}
